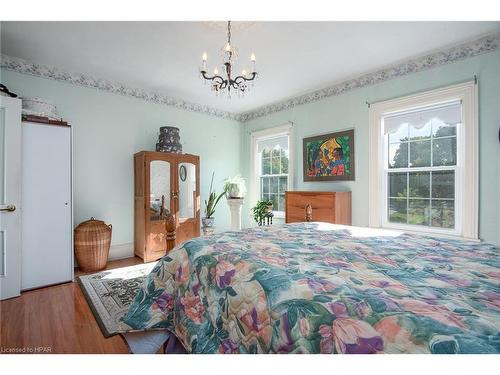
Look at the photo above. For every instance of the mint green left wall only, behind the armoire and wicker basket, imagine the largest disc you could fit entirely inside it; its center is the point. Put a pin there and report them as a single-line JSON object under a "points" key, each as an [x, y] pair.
{"points": [[108, 129]]}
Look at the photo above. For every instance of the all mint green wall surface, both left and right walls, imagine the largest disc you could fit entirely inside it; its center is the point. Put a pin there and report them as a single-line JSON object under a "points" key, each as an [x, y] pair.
{"points": [[108, 129]]}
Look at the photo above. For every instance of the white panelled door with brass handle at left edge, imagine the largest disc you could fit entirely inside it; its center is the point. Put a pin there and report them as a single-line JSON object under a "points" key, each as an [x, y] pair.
{"points": [[10, 197]]}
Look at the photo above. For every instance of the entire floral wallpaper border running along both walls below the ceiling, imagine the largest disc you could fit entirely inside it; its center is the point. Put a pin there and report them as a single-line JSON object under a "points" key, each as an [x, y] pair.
{"points": [[469, 49]]}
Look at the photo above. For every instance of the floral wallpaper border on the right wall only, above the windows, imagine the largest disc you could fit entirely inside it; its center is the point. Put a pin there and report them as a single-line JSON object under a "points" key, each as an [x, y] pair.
{"points": [[476, 47]]}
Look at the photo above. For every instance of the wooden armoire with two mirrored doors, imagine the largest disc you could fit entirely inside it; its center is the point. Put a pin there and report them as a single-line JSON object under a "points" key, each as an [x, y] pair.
{"points": [[165, 183]]}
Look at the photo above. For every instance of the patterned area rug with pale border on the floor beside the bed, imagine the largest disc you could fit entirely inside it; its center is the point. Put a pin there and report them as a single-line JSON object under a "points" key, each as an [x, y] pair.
{"points": [[109, 294]]}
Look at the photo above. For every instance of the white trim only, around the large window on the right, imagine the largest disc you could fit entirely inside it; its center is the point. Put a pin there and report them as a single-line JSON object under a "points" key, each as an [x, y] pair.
{"points": [[467, 158]]}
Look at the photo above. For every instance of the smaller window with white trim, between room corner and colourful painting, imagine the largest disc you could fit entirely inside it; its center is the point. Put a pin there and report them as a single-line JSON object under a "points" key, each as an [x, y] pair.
{"points": [[271, 165]]}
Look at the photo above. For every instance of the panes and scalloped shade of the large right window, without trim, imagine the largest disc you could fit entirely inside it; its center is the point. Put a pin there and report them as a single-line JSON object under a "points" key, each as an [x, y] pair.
{"points": [[421, 150]]}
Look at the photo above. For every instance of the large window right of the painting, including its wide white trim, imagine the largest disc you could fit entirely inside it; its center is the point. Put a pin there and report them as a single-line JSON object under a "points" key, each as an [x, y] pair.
{"points": [[423, 162]]}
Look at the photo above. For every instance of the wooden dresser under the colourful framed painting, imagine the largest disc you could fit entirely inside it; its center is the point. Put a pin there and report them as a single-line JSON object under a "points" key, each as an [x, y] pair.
{"points": [[330, 207]]}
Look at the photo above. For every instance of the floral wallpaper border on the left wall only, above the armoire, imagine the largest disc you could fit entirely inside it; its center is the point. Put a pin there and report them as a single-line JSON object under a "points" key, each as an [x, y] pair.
{"points": [[22, 66]]}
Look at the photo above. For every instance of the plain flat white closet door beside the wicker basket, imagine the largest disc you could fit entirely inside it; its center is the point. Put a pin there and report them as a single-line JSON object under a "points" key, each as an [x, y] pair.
{"points": [[46, 195]]}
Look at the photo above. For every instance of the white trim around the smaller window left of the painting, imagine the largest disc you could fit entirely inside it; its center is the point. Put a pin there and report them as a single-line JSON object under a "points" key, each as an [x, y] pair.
{"points": [[277, 131]]}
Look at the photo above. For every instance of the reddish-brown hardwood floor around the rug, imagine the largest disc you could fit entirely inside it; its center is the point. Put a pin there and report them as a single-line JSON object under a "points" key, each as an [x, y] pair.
{"points": [[56, 319]]}
